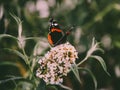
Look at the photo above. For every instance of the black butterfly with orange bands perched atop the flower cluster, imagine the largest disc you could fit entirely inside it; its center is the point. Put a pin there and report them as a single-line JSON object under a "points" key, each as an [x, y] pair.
{"points": [[56, 36]]}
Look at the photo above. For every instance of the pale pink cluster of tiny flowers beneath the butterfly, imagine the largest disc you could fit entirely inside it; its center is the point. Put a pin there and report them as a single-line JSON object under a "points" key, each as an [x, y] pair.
{"points": [[56, 63]]}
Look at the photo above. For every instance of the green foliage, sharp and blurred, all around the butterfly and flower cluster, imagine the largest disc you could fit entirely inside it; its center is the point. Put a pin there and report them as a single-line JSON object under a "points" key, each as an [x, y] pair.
{"points": [[24, 43]]}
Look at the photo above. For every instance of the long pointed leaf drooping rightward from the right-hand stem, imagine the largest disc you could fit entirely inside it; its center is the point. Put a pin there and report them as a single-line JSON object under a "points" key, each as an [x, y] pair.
{"points": [[100, 59]]}
